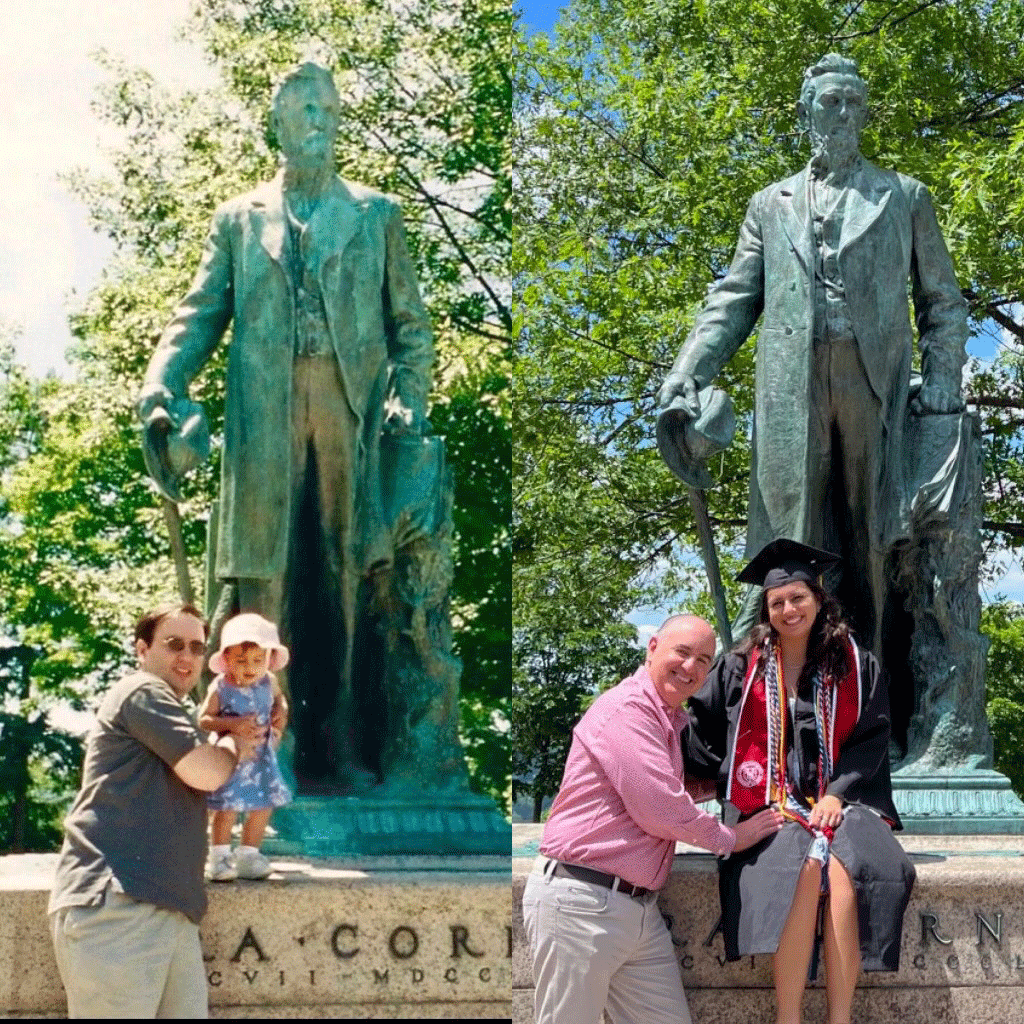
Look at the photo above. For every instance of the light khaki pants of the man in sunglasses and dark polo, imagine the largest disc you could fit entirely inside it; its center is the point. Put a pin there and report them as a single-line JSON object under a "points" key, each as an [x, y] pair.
{"points": [[130, 961]]}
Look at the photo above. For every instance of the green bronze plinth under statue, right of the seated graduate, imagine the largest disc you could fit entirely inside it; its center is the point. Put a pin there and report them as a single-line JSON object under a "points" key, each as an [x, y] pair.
{"points": [[957, 802]]}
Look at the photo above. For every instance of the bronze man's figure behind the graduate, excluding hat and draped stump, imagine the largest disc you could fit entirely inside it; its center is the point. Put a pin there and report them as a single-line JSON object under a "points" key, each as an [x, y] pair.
{"points": [[824, 261]]}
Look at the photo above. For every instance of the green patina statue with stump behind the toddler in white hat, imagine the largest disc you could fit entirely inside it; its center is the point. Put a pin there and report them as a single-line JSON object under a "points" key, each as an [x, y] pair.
{"points": [[335, 501]]}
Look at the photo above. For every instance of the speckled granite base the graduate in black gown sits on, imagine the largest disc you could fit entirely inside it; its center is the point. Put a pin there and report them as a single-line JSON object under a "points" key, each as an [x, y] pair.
{"points": [[963, 948]]}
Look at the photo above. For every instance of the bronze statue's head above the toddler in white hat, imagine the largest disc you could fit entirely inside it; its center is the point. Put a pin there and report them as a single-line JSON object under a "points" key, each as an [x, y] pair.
{"points": [[306, 114]]}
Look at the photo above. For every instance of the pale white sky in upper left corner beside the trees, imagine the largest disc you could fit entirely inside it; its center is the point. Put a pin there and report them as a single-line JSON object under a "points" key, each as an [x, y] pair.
{"points": [[48, 81]]}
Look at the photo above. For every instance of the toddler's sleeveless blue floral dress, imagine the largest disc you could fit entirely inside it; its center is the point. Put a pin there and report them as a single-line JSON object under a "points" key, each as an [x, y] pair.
{"points": [[258, 783]]}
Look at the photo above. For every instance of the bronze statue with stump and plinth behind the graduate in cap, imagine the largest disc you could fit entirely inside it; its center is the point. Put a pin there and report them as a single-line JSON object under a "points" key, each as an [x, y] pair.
{"points": [[850, 452]]}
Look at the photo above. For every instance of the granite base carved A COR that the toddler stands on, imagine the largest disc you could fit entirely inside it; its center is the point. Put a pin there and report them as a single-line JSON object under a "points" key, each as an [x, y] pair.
{"points": [[319, 940]]}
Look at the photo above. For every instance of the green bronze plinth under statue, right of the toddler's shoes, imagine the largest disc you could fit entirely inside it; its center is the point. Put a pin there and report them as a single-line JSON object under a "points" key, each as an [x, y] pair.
{"points": [[464, 824]]}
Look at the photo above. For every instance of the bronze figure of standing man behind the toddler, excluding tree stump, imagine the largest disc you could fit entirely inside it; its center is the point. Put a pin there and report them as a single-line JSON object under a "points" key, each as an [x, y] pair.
{"points": [[331, 350]]}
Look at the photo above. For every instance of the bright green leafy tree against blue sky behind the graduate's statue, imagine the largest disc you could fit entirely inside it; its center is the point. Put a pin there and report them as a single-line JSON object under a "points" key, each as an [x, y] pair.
{"points": [[645, 131]]}
